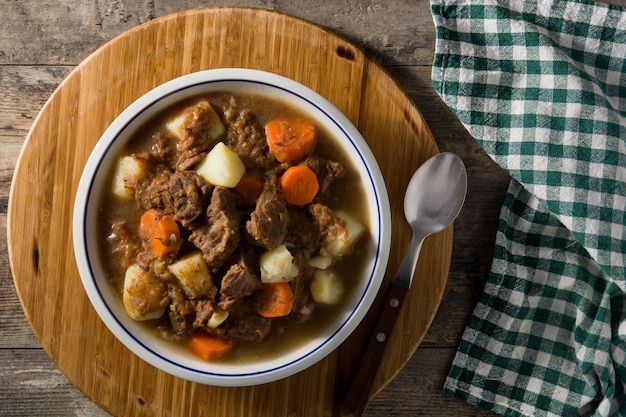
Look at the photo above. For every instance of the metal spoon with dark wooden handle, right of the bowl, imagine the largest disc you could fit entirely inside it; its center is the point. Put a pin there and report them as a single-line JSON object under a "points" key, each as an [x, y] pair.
{"points": [[432, 201]]}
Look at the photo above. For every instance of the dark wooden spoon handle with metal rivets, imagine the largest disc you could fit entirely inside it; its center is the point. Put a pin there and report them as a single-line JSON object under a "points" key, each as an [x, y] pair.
{"points": [[360, 389]]}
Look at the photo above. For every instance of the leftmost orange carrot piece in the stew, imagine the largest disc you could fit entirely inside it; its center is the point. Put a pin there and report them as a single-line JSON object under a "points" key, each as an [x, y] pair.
{"points": [[161, 233]]}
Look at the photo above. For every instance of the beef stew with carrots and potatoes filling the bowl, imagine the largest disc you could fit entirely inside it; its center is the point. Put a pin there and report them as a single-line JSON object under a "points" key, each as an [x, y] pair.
{"points": [[201, 244]]}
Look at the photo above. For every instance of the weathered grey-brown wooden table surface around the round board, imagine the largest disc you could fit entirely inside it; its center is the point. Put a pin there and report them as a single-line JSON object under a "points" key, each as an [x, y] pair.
{"points": [[41, 42]]}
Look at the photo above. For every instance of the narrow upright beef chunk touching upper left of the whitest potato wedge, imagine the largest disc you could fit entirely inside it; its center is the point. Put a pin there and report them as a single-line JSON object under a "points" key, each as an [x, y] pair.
{"points": [[196, 140]]}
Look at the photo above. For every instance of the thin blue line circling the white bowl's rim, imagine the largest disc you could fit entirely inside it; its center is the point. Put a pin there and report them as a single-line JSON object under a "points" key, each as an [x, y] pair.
{"points": [[377, 192]]}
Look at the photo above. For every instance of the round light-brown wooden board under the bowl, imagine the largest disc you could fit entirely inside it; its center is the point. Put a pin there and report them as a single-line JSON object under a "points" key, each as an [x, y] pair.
{"points": [[71, 122]]}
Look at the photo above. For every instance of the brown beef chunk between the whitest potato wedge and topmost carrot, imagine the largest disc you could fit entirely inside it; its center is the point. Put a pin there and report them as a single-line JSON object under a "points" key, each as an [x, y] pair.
{"points": [[246, 137]]}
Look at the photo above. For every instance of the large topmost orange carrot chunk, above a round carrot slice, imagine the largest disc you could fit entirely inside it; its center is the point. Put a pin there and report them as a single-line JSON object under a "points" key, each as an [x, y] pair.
{"points": [[290, 139]]}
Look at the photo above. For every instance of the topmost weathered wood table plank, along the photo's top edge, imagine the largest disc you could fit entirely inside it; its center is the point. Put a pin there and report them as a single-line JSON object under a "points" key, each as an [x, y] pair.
{"points": [[57, 32]]}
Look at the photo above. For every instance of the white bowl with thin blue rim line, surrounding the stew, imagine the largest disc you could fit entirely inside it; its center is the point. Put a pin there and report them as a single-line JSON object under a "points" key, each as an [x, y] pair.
{"points": [[143, 342]]}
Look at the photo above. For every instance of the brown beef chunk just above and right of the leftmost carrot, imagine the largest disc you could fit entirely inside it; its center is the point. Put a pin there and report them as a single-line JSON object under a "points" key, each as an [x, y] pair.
{"points": [[189, 194]]}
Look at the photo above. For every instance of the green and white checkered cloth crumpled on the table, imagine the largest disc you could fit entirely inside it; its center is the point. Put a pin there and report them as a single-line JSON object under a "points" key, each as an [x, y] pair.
{"points": [[541, 86]]}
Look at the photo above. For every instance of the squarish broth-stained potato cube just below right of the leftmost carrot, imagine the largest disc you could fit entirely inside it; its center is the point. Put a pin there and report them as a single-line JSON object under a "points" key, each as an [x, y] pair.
{"points": [[193, 275]]}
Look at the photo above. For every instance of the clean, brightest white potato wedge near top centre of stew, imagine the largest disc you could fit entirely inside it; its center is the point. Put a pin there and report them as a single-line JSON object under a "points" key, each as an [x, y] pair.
{"points": [[221, 166]]}
